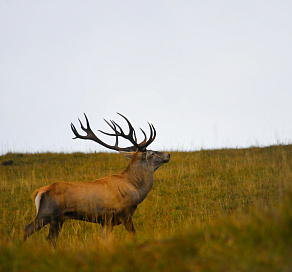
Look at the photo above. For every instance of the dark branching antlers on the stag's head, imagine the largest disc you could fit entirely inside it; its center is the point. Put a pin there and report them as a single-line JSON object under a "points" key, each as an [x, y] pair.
{"points": [[118, 132]]}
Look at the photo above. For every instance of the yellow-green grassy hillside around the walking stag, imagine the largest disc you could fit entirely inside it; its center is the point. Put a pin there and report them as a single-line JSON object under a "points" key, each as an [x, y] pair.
{"points": [[217, 210]]}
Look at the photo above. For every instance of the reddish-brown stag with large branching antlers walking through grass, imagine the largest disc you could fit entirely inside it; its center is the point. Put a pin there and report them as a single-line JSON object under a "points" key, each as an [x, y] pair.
{"points": [[109, 201]]}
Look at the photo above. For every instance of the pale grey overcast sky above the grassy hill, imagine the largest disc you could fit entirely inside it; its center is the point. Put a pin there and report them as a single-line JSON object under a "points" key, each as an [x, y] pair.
{"points": [[207, 74]]}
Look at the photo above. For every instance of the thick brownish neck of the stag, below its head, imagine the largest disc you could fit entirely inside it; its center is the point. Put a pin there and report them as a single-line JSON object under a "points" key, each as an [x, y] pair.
{"points": [[141, 176]]}
